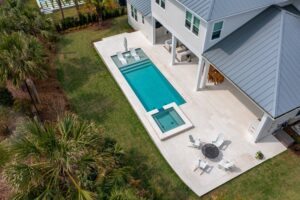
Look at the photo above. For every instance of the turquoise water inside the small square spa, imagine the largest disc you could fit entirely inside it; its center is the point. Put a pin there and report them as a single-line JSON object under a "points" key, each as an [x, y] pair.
{"points": [[168, 119]]}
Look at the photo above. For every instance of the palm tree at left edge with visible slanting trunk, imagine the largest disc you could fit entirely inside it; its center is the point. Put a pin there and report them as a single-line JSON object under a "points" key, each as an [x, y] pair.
{"points": [[21, 58]]}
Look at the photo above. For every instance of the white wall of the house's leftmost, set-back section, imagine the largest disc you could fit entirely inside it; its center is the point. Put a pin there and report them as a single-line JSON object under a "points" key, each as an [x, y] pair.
{"points": [[145, 28]]}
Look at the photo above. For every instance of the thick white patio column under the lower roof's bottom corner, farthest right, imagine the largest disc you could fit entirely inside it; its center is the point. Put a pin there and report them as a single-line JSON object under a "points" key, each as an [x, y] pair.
{"points": [[263, 128]]}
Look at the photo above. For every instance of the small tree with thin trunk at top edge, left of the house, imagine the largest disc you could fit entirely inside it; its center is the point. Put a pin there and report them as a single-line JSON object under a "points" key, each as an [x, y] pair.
{"points": [[101, 5]]}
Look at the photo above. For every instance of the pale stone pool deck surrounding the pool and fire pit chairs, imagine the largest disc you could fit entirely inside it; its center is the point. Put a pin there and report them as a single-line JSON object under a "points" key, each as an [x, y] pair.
{"points": [[218, 109]]}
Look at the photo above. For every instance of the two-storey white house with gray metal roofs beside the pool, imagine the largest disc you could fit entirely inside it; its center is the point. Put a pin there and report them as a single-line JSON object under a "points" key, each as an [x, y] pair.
{"points": [[253, 44]]}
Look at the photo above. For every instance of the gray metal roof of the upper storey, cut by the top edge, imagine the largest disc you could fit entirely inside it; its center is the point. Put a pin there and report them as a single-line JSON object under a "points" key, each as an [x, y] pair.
{"points": [[216, 9]]}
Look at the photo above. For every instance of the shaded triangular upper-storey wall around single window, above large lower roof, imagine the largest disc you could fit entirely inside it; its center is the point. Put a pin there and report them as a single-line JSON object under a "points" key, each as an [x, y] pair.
{"points": [[230, 24]]}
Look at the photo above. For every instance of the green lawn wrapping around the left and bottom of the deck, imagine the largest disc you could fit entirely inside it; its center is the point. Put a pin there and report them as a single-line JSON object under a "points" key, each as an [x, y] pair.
{"points": [[93, 94]]}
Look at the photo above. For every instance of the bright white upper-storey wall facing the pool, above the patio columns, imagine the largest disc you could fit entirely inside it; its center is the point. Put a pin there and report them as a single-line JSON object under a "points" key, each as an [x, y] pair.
{"points": [[173, 19]]}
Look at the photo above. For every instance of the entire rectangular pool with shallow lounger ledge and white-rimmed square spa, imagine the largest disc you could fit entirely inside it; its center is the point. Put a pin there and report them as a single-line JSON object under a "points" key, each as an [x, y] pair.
{"points": [[159, 98]]}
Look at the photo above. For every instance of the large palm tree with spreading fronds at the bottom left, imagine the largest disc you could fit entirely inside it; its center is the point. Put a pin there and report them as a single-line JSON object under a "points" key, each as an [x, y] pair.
{"points": [[64, 160]]}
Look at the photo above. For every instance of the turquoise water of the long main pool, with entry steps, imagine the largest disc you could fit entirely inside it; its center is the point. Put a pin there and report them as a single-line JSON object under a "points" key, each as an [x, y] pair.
{"points": [[150, 86]]}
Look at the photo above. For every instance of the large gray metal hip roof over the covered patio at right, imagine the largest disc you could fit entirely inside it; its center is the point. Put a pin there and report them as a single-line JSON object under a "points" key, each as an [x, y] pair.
{"points": [[262, 58]]}
